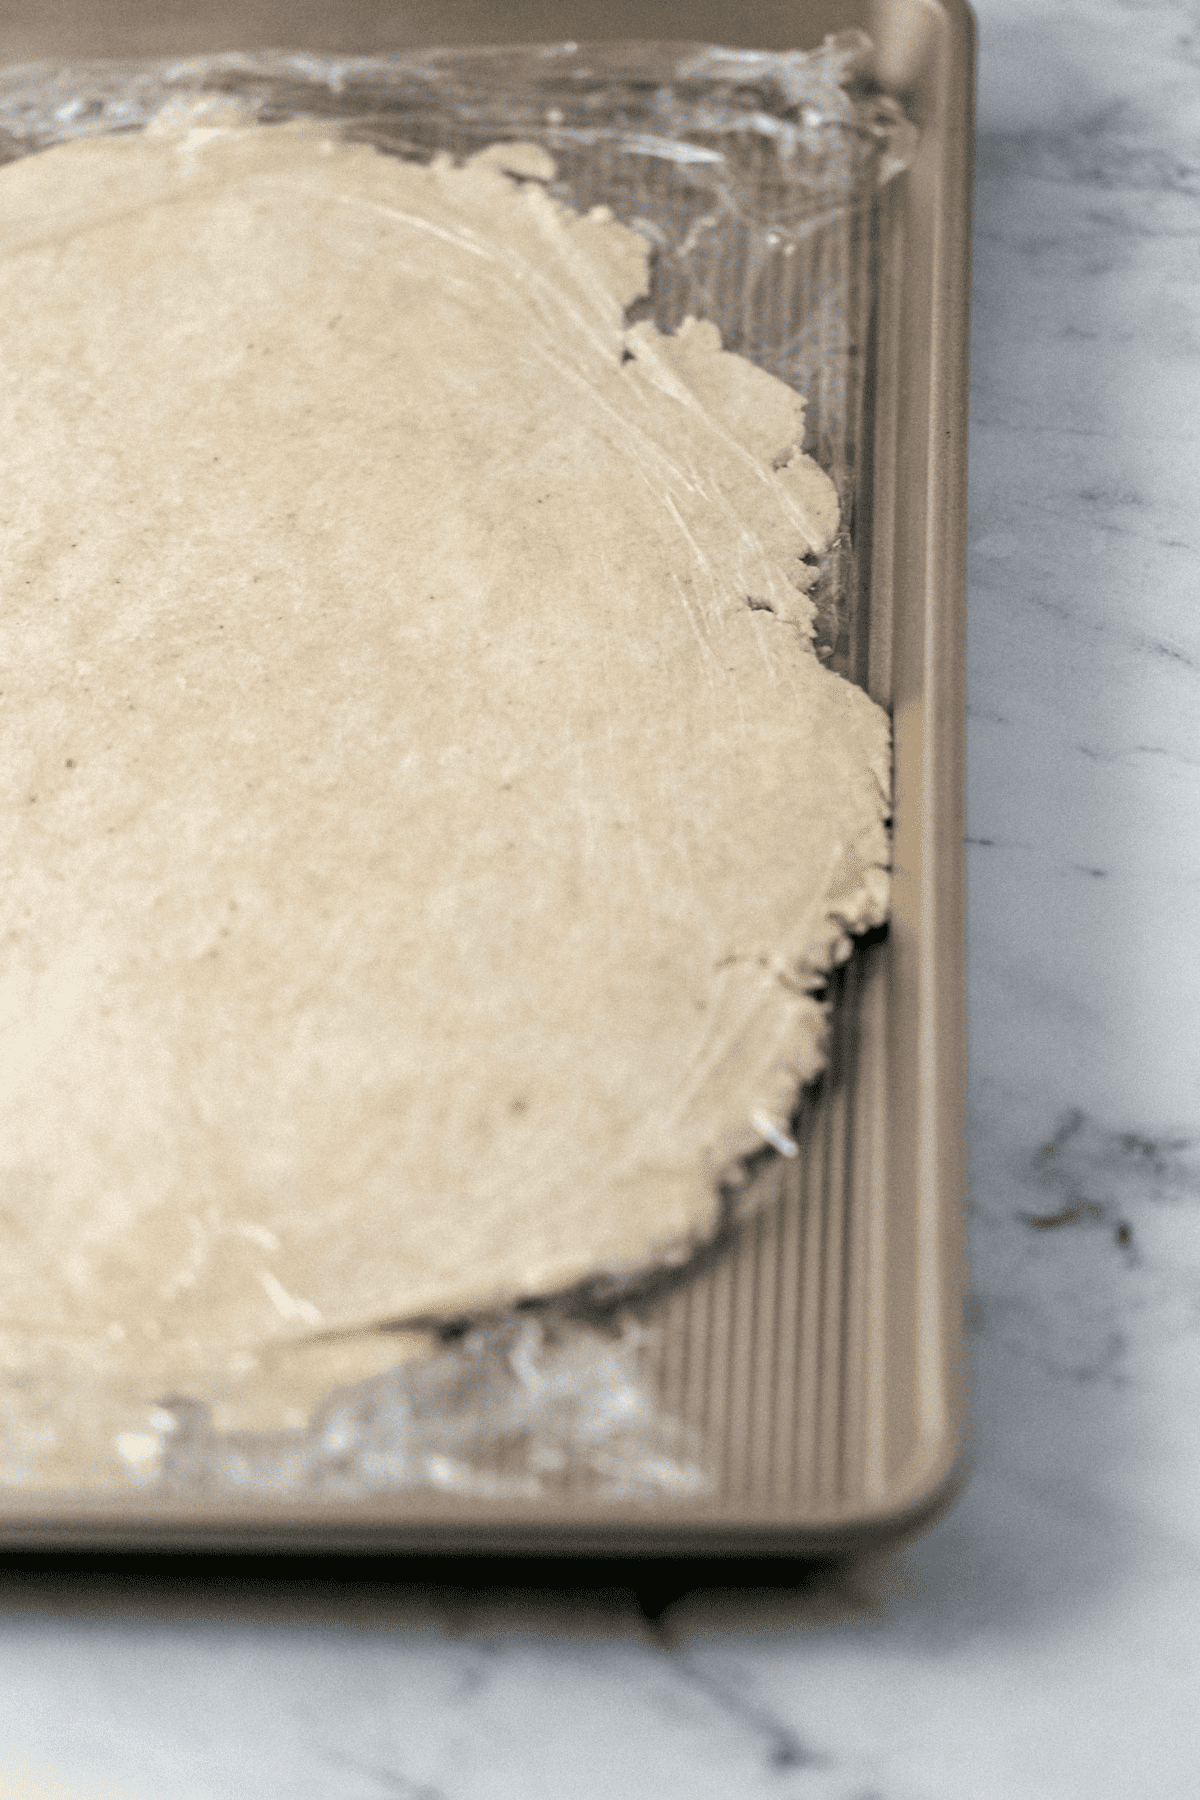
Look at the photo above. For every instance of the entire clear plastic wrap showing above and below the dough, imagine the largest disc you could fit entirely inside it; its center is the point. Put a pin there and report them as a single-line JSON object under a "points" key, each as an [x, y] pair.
{"points": [[760, 183]]}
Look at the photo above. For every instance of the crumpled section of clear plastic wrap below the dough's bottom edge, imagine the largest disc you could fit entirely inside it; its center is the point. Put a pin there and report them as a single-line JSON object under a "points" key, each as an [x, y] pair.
{"points": [[496, 1416]]}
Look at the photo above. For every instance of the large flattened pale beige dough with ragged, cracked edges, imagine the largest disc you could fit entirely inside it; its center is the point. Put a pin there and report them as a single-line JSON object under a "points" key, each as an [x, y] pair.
{"points": [[425, 818]]}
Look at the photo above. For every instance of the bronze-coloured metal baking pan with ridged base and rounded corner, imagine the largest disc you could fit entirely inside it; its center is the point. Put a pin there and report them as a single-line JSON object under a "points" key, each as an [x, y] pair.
{"points": [[819, 1353]]}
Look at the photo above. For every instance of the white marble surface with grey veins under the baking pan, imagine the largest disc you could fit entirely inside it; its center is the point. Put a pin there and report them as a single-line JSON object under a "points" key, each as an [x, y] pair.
{"points": [[1044, 1641]]}
